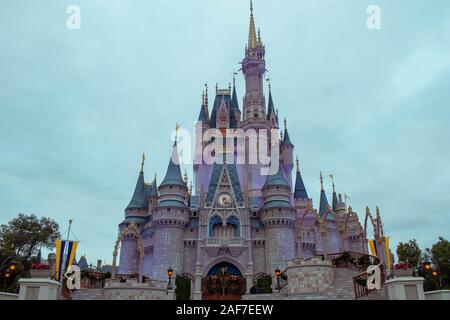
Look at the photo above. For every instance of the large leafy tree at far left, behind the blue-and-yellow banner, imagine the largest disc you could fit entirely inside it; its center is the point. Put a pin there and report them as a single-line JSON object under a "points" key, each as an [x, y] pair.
{"points": [[24, 235]]}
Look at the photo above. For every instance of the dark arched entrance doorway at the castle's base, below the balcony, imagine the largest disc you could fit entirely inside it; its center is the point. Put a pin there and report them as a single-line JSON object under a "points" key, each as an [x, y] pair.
{"points": [[224, 281]]}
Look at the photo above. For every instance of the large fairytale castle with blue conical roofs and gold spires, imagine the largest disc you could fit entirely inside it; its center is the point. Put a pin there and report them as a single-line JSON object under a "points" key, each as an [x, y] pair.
{"points": [[233, 215]]}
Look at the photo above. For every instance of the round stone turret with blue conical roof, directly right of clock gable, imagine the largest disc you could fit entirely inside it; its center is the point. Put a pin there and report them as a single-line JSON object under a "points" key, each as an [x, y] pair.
{"points": [[278, 217]]}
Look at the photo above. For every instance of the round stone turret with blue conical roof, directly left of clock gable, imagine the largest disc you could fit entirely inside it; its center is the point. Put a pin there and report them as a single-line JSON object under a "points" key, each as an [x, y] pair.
{"points": [[169, 219]]}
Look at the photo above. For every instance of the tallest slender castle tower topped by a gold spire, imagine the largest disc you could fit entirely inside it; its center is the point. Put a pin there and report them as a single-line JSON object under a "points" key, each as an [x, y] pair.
{"points": [[254, 67]]}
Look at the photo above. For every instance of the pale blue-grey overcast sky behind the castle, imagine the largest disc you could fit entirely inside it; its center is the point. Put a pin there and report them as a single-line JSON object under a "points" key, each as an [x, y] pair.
{"points": [[78, 107]]}
